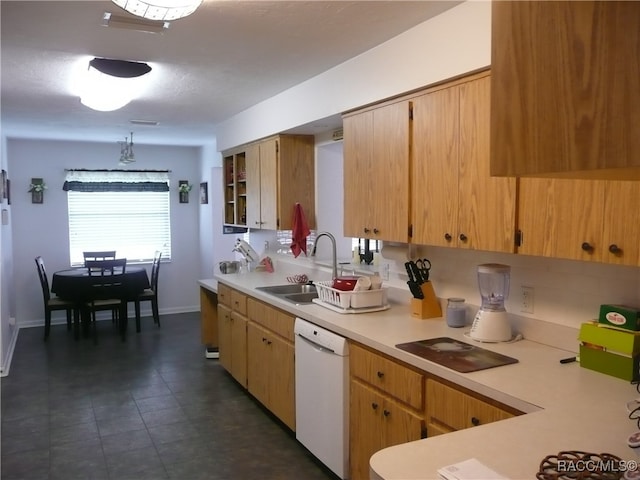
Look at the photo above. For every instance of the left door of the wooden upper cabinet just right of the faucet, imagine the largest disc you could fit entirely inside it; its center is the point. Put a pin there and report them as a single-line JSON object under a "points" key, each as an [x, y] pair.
{"points": [[358, 154]]}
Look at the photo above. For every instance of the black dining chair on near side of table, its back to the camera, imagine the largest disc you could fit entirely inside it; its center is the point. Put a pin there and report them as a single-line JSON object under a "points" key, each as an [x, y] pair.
{"points": [[107, 290]]}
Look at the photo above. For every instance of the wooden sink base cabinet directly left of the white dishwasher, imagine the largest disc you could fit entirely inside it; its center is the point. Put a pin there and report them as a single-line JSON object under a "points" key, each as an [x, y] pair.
{"points": [[270, 362]]}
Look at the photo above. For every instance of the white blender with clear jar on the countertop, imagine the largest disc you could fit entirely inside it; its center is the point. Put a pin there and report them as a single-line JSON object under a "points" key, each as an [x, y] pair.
{"points": [[491, 323]]}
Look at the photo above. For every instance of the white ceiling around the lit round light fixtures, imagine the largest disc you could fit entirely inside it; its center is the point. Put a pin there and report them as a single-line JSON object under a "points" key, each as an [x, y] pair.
{"points": [[224, 58]]}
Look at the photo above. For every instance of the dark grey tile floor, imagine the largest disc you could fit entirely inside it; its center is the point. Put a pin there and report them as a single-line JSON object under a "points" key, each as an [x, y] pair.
{"points": [[149, 408]]}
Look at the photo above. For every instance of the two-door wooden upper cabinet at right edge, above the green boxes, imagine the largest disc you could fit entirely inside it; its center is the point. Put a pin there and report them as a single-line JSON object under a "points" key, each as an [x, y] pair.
{"points": [[591, 220]]}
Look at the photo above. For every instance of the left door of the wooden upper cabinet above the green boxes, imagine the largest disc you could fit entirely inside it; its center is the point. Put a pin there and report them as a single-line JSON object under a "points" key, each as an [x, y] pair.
{"points": [[561, 218]]}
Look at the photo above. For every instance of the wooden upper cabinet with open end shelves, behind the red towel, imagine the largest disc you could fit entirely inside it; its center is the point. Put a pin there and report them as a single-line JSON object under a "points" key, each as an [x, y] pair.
{"points": [[280, 172]]}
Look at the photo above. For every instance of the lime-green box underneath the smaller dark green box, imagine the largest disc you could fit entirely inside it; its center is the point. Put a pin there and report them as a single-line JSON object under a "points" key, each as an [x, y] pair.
{"points": [[611, 351]]}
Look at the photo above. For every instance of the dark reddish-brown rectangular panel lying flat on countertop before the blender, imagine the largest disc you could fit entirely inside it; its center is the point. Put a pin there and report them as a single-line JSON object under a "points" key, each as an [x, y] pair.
{"points": [[456, 355]]}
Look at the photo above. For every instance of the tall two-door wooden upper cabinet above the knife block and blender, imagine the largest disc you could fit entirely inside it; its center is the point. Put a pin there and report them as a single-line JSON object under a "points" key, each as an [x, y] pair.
{"points": [[455, 201]]}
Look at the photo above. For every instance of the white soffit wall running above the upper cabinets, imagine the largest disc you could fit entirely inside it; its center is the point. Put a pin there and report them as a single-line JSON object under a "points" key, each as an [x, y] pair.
{"points": [[453, 43]]}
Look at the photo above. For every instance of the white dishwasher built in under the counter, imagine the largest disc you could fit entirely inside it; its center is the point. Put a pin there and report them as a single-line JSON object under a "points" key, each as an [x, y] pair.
{"points": [[322, 395]]}
